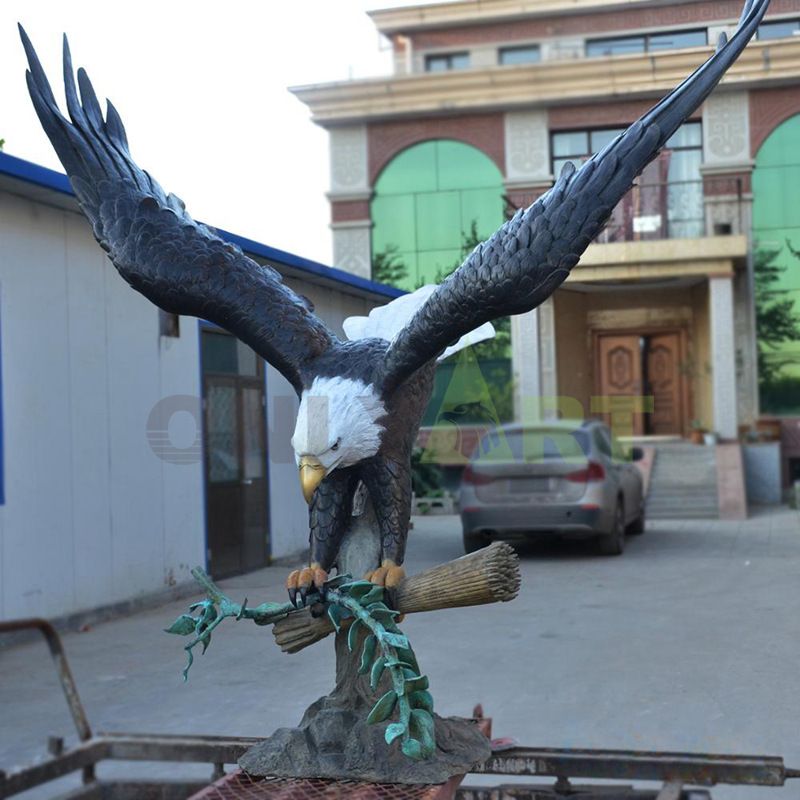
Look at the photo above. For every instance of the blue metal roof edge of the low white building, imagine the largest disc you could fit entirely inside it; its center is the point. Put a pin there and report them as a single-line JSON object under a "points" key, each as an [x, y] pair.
{"points": [[58, 182]]}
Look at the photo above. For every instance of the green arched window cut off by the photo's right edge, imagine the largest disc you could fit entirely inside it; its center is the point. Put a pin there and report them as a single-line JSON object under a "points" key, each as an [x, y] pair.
{"points": [[776, 233]]}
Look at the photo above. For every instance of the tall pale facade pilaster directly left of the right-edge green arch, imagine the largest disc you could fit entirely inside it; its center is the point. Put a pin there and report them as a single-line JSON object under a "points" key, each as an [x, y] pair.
{"points": [[727, 171]]}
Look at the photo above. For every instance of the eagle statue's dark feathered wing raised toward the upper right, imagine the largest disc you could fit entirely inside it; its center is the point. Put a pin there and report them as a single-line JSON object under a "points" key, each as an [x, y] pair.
{"points": [[524, 262]]}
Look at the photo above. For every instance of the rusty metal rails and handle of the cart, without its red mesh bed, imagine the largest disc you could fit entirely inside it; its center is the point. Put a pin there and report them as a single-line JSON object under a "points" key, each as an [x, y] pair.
{"points": [[675, 771]]}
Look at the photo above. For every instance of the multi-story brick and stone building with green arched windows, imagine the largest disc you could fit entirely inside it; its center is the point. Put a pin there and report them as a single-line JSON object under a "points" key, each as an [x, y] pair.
{"points": [[489, 99]]}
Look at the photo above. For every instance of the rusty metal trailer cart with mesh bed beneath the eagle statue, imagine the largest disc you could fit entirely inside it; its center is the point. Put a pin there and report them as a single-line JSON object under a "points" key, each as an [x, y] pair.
{"points": [[677, 776]]}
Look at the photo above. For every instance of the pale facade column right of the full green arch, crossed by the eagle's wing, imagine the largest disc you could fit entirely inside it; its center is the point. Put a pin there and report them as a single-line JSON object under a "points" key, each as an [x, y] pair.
{"points": [[527, 151]]}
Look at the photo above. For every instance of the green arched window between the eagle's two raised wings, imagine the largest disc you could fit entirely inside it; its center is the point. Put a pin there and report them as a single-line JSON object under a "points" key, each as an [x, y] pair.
{"points": [[425, 203]]}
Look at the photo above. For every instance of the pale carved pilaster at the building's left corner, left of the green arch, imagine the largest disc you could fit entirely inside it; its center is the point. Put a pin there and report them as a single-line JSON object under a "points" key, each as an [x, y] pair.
{"points": [[349, 195]]}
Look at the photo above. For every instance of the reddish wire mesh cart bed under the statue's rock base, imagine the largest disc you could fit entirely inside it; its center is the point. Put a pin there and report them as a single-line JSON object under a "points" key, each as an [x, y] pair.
{"points": [[240, 786]]}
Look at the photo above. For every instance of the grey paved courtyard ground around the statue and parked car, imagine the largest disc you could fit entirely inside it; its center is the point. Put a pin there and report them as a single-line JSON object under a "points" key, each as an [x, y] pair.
{"points": [[689, 641]]}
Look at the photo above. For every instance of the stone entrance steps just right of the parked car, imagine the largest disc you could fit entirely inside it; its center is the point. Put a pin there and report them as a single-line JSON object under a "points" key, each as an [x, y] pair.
{"points": [[683, 483]]}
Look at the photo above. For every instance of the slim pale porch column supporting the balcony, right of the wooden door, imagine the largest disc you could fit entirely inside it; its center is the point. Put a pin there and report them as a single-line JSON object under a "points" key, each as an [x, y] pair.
{"points": [[723, 355]]}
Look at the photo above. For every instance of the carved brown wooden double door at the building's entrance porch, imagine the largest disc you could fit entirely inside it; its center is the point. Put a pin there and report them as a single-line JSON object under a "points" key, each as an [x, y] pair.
{"points": [[645, 365]]}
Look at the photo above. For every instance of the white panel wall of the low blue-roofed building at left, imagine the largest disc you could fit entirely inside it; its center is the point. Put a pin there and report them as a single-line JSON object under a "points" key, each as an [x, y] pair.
{"points": [[92, 515]]}
